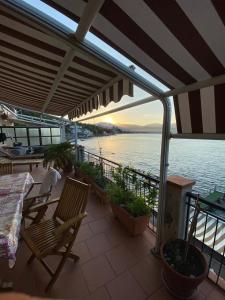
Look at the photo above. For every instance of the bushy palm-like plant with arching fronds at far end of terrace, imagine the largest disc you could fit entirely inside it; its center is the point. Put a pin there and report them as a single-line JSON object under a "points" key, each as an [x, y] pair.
{"points": [[62, 155]]}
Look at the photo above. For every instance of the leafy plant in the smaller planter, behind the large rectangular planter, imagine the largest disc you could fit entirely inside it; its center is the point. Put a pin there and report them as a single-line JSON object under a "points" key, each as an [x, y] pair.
{"points": [[93, 174]]}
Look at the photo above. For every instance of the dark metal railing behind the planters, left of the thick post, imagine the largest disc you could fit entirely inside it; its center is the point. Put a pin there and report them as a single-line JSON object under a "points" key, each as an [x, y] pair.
{"points": [[136, 181]]}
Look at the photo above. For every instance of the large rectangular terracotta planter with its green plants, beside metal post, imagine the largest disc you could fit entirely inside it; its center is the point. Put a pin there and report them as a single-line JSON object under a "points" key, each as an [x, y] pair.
{"points": [[133, 211]]}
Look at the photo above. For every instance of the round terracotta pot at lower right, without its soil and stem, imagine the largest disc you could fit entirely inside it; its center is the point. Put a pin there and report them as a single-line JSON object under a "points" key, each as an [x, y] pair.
{"points": [[179, 285]]}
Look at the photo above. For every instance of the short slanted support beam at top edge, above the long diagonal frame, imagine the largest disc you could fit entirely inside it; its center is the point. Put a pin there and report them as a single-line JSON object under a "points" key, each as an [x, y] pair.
{"points": [[90, 12]]}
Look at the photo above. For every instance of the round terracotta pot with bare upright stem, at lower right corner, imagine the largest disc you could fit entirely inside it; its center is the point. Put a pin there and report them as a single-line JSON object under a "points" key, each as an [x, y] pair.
{"points": [[184, 266]]}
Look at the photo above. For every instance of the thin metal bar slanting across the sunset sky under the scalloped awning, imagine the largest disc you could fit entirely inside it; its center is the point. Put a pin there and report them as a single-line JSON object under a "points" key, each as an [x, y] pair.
{"points": [[134, 104]]}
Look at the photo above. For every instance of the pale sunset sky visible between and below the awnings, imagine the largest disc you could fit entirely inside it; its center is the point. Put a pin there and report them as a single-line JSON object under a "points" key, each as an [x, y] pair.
{"points": [[141, 115]]}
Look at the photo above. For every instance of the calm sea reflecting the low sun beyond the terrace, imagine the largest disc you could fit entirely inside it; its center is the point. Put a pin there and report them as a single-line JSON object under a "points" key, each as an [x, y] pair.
{"points": [[201, 160]]}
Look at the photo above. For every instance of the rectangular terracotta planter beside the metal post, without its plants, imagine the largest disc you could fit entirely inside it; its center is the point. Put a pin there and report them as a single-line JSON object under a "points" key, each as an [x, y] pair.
{"points": [[133, 225]]}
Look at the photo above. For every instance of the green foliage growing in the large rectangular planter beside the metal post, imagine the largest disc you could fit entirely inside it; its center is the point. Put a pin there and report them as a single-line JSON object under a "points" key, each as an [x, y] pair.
{"points": [[120, 194]]}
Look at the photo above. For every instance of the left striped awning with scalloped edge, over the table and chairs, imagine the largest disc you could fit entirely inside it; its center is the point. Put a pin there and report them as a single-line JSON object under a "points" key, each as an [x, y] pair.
{"points": [[43, 73]]}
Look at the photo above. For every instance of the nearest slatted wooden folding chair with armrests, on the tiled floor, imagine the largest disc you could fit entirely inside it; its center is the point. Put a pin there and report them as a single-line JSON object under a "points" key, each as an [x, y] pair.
{"points": [[50, 237]]}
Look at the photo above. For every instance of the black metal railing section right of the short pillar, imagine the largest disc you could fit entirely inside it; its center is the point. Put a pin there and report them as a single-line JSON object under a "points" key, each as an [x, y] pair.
{"points": [[209, 235]]}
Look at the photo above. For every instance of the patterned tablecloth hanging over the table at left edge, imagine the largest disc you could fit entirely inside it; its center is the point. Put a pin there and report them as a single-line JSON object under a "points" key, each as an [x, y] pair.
{"points": [[13, 188]]}
